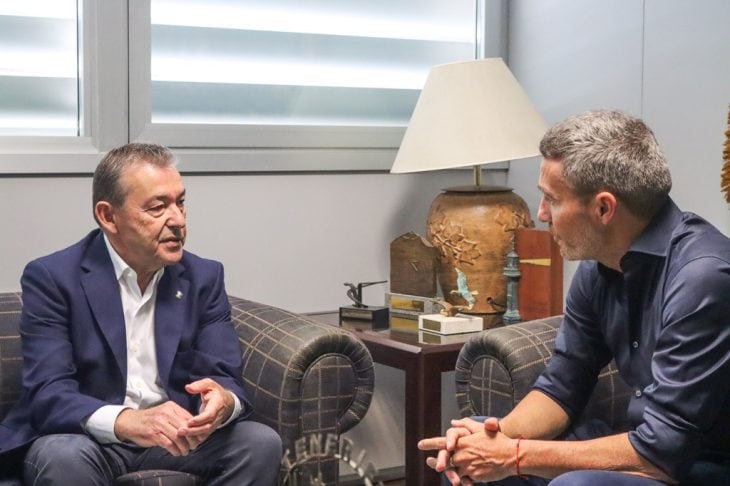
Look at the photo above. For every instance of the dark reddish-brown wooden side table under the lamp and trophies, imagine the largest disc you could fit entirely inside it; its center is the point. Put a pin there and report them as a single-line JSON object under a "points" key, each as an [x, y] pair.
{"points": [[423, 361]]}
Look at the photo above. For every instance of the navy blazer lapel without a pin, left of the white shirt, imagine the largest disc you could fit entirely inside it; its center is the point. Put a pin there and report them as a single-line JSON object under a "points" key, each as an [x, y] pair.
{"points": [[102, 293]]}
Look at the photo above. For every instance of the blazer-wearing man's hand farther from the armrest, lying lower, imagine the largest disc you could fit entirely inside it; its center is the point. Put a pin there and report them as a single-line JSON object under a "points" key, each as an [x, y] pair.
{"points": [[156, 426]]}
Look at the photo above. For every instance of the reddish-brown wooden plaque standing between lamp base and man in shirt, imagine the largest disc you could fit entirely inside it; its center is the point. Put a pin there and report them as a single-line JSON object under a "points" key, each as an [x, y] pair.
{"points": [[541, 266]]}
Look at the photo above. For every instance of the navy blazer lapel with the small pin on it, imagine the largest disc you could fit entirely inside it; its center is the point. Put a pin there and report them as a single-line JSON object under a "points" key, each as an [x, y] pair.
{"points": [[170, 317]]}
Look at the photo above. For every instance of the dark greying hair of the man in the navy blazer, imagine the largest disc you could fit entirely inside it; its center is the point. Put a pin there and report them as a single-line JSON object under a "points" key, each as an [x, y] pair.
{"points": [[106, 185]]}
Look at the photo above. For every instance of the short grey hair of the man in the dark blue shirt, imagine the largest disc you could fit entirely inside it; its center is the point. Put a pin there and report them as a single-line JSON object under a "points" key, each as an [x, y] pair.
{"points": [[611, 151]]}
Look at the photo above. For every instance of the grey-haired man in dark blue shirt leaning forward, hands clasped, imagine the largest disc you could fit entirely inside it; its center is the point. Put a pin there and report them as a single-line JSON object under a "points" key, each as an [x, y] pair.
{"points": [[653, 293]]}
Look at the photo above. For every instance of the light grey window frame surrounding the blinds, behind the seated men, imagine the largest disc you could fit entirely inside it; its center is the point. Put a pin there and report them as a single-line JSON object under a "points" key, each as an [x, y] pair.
{"points": [[115, 51]]}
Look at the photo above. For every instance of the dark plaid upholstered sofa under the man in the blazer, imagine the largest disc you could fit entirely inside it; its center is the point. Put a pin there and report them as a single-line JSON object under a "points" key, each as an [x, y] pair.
{"points": [[303, 378]]}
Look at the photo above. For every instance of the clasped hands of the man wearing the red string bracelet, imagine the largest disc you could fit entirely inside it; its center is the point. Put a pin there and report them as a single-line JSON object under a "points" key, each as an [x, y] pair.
{"points": [[472, 451]]}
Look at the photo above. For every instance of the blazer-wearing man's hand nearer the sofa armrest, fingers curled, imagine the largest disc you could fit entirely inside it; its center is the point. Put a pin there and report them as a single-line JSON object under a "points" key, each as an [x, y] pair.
{"points": [[217, 406]]}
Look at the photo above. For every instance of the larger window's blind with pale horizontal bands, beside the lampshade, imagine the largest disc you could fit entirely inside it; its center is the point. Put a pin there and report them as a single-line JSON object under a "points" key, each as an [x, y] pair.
{"points": [[290, 62]]}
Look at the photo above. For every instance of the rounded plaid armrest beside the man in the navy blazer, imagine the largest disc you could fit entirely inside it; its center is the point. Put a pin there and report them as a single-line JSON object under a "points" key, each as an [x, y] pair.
{"points": [[303, 377]]}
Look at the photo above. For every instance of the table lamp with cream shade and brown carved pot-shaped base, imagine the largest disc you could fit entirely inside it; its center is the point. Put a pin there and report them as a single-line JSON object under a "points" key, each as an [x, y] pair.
{"points": [[469, 114]]}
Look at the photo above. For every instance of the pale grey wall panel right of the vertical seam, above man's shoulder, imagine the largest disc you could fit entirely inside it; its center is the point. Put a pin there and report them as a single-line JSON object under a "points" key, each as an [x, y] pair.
{"points": [[686, 96]]}
